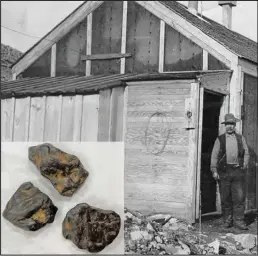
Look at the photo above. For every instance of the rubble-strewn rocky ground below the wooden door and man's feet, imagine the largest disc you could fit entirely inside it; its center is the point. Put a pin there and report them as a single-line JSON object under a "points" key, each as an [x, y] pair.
{"points": [[165, 235]]}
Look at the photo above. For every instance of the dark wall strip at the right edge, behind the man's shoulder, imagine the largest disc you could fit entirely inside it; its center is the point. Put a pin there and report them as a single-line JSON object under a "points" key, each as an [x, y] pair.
{"points": [[250, 132]]}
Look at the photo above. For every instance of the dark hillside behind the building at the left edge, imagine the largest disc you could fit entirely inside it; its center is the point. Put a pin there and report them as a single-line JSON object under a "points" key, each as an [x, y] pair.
{"points": [[8, 56]]}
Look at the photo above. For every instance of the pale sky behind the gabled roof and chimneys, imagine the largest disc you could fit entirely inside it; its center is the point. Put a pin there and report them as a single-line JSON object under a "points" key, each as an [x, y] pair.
{"points": [[36, 18]]}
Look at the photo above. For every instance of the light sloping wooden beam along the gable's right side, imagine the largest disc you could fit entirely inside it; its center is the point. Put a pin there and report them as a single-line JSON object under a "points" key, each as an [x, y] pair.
{"points": [[190, 31]]}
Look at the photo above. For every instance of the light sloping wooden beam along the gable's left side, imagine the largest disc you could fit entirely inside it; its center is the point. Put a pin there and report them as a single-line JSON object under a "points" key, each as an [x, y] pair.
{"points": [[54, 36]]}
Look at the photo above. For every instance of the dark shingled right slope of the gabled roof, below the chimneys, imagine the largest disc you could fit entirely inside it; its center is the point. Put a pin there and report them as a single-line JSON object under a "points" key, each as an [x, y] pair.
{"points": [[237, 43]]}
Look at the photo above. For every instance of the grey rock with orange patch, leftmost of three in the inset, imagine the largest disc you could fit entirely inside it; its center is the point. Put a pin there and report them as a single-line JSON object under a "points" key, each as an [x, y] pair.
{"points": [[29, 208]]}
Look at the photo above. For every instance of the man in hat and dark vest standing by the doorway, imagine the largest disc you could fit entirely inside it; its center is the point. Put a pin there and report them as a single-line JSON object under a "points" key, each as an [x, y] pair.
{"points": [[229, 162]]}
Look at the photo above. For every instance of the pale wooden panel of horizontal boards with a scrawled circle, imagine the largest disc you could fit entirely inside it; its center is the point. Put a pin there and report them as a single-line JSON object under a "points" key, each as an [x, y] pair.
{"points": [[158, 183]]}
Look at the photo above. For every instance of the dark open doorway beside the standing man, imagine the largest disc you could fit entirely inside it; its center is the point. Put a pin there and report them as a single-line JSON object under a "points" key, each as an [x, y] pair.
{"points": [[211, 113]]}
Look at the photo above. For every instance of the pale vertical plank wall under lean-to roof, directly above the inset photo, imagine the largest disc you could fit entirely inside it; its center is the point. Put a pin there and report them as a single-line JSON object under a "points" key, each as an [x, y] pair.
{"points": [[50, 118]]}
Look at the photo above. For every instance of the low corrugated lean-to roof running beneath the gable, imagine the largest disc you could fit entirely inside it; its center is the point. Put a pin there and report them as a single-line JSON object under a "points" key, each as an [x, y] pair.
{"points": [[82, 85]]}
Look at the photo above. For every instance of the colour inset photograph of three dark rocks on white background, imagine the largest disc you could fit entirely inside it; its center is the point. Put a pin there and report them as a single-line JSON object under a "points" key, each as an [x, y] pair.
{"points": [[62, 198]]}
